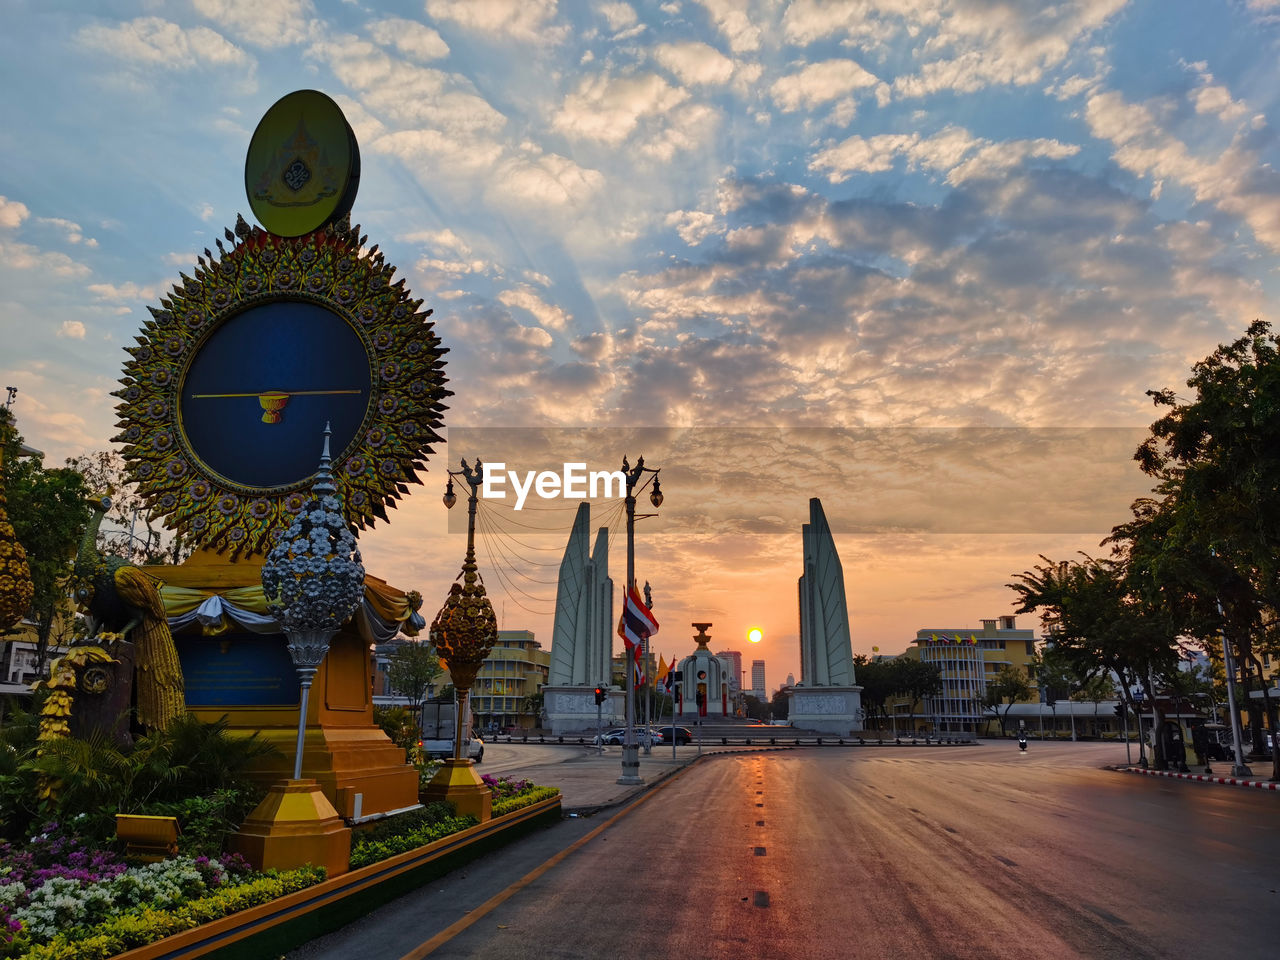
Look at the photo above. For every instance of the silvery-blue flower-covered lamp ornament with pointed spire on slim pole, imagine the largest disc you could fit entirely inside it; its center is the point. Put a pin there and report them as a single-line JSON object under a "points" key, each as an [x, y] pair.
{"points": [[314, 582]]}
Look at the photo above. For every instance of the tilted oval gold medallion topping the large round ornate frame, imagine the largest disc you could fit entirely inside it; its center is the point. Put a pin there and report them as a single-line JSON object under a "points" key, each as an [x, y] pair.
{"points": [[303, 167]]}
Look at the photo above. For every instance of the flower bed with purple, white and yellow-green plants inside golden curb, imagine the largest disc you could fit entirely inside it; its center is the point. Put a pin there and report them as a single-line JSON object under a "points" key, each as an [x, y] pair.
{"points": [[70, 909]]}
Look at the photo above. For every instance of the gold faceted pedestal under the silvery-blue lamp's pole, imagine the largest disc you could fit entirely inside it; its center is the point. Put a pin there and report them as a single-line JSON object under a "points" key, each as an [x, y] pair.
{"points": [[294, 826]]}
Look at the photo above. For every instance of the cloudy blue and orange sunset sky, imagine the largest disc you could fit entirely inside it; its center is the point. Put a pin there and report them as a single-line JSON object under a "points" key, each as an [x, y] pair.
{"points": [[920, 259]]}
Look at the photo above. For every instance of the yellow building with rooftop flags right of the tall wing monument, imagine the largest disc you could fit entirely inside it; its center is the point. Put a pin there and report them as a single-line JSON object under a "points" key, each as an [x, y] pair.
{"points": [[967, 659]]}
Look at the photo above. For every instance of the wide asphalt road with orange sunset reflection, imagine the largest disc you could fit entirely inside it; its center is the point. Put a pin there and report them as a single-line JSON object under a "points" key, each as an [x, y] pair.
{"points": [[870, 853]]}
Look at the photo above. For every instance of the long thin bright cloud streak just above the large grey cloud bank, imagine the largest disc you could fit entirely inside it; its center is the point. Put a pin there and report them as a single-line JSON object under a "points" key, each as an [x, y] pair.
{"points": [[954, 152]]}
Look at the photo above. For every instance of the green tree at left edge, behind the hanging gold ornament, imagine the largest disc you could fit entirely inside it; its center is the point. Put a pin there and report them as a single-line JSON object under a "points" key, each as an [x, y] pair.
{"points": [[49, 513]]}
